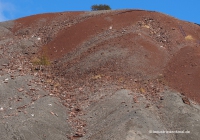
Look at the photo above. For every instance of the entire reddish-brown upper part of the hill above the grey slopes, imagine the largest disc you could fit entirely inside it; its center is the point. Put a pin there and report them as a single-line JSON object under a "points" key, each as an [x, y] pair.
{"points": [[129, 44]]}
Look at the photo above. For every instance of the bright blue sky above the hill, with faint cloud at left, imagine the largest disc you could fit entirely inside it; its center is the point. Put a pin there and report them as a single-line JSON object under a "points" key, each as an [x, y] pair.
{"points": [[187, 10]]}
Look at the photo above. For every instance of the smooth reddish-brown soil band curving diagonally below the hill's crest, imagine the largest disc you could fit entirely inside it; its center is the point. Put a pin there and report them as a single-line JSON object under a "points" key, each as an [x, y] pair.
{"points": [[75, 35]]}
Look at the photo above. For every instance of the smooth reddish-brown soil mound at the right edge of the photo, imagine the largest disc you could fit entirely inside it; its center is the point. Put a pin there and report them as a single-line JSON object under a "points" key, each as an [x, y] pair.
{"points": [[183, 72]]}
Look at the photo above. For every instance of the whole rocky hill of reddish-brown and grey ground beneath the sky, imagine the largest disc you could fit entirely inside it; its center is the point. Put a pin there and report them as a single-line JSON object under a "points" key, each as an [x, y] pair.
{"points": [[99, 75]]}
